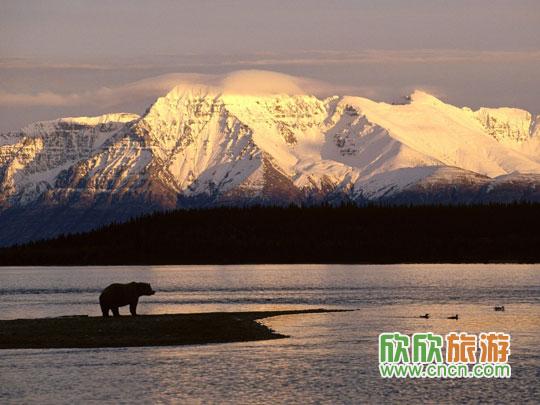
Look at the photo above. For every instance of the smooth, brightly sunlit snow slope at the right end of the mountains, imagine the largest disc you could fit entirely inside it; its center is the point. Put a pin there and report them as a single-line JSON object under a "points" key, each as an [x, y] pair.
{"points": [[454, 136]]}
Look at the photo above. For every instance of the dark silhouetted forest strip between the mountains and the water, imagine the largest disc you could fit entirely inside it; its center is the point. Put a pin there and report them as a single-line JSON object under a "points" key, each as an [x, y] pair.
{"points": [[345, 234]]}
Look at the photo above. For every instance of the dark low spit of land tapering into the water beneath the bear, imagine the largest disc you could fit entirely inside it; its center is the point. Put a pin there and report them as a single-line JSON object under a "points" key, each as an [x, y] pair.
{"points": [[142, 330]]}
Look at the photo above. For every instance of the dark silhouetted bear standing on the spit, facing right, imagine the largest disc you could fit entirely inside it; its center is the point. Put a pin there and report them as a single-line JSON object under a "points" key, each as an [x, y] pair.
{"points": [[117, 295]]}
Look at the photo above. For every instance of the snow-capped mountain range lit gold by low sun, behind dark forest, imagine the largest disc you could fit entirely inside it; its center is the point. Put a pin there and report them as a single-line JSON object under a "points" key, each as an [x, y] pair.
{"points": [[199, 148]]}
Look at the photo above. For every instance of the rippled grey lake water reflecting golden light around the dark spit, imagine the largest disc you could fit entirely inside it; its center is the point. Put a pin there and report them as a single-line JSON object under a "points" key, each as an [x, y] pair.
{"points": [[330, 358]]}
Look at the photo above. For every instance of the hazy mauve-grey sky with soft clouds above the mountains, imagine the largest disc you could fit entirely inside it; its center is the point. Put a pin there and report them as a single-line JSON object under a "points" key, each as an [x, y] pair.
{"points": [[87, 57]]}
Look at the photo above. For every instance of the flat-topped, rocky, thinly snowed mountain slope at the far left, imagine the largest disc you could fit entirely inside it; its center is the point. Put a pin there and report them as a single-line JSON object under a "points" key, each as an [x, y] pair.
{"points": [[32, 159]]}
